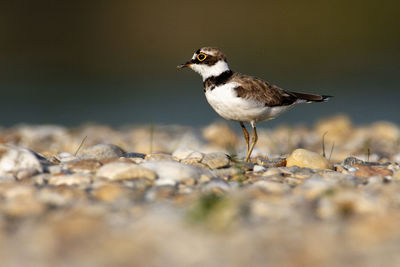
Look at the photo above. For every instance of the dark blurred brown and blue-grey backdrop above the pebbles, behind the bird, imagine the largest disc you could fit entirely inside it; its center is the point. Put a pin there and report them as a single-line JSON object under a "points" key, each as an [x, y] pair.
{"points": [[113, 62]]}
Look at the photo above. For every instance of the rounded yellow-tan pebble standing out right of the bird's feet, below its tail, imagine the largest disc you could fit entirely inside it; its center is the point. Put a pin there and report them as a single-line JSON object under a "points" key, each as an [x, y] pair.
{"points": [[307, 159]]}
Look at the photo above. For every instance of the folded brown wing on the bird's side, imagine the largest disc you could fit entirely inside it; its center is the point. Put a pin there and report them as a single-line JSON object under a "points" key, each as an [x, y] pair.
{"points": [[262, 91]]}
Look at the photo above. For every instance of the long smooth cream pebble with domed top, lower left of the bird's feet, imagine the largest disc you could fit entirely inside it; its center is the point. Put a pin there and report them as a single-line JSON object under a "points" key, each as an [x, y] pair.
{"points": [[125, 171]]}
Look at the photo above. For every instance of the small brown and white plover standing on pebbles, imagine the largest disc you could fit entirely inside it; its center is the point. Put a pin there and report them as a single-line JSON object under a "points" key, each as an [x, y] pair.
{"points": [[242, 98]]}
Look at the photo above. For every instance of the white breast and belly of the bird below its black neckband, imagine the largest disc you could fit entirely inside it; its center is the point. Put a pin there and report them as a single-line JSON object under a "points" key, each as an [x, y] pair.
{"points": [[228, 105]]}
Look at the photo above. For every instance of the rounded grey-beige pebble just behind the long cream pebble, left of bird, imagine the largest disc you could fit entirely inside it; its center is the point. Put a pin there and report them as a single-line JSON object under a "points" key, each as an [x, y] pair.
{"points": [[101, 152]]}
